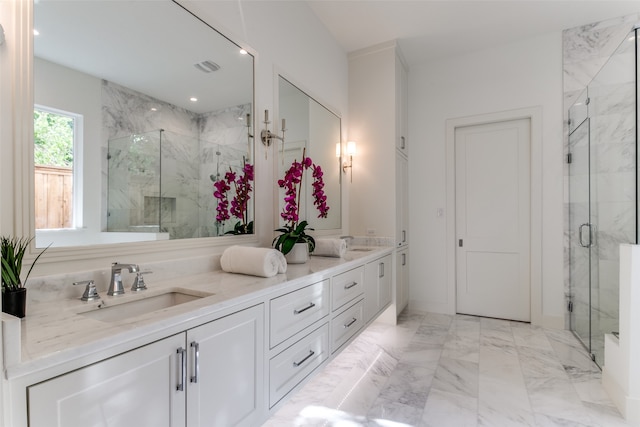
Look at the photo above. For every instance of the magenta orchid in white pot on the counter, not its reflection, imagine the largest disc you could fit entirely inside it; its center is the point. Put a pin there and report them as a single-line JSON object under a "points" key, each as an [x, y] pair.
{"points": [[294, 230]]}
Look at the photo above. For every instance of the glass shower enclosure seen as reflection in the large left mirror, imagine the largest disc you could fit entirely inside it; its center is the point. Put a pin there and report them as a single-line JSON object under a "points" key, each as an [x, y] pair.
{"points": [[161, 182]]}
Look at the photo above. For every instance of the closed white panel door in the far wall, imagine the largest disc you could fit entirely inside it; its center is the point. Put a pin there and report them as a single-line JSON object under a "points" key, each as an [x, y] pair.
{"points": [[493, 219]]}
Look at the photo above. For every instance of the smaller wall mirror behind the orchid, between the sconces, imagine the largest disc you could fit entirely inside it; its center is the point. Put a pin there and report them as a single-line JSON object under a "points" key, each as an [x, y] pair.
{"points": [[316, 129]]}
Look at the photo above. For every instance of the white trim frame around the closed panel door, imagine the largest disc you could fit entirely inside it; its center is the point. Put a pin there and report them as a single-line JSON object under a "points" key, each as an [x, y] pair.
{"points": [[534, 114]]}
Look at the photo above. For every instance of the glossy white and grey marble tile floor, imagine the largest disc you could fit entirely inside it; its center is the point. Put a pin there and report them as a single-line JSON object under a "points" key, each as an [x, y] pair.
{"points": [[441, 370]]}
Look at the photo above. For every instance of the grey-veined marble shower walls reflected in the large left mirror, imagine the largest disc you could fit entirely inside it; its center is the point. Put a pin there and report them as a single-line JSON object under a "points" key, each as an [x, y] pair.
{"points": [[195, 147]]}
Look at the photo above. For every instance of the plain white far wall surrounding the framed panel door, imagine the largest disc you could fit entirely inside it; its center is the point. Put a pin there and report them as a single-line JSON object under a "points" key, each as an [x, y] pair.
{"points": [[517, 75]]}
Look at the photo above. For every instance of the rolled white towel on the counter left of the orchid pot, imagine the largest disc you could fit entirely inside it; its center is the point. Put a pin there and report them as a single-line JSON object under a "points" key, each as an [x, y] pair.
{"points": [[262, 262]]}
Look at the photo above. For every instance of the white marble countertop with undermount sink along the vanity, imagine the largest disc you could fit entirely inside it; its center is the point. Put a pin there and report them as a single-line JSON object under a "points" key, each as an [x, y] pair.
{"points": [[56, 333]]}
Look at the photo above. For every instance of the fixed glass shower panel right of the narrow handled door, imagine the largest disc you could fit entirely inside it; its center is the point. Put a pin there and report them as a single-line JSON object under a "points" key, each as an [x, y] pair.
{"points": [[613, 117]]}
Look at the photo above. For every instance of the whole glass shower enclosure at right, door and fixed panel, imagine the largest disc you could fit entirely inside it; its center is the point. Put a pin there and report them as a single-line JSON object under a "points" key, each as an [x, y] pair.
{"points": [[602, 187]]}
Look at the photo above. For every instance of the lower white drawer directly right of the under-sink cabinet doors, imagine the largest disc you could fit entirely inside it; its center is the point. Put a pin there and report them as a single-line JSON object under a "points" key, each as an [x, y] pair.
{"points": [[289, 368]]}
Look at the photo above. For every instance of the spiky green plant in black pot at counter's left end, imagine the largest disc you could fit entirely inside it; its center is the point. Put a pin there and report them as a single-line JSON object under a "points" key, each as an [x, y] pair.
{"points": [[14, 294]]}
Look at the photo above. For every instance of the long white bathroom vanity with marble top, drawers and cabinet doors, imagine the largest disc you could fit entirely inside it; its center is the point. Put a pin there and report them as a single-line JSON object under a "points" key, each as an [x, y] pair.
{"points": [[226, 350]]}
